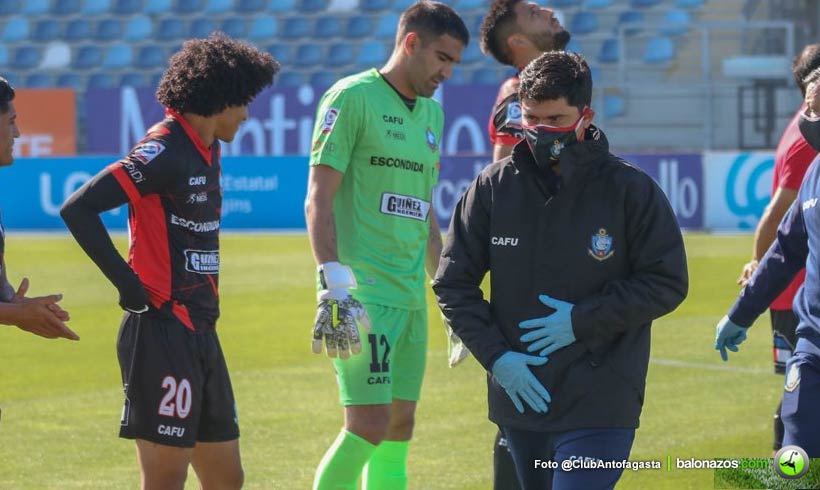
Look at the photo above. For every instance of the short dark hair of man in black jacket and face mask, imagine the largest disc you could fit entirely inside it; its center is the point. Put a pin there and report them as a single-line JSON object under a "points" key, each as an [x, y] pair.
{"points": [[557, 74]]}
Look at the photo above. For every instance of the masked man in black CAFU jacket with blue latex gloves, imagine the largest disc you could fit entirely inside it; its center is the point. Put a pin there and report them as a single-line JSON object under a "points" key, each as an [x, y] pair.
{"points": [[584, 252]]}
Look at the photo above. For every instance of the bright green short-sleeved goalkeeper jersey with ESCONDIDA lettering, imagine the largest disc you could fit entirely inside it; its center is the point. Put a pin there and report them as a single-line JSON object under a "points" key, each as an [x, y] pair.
{"points": [[389, 156]]}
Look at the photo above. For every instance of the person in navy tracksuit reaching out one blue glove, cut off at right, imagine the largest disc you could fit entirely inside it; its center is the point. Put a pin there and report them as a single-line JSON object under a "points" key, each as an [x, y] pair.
{"points": [[796, 245]]}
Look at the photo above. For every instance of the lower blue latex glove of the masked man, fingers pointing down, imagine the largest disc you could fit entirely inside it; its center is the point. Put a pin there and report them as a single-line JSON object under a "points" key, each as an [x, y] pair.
{"points": [[512, 372]]}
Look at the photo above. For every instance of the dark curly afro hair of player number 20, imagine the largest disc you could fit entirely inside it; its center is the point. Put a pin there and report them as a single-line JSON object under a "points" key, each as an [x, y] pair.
{"points": [[209, 75]]}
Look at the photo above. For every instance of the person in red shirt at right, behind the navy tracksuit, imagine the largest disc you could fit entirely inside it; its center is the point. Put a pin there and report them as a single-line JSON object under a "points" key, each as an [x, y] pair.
{"points": [[791, 160]]}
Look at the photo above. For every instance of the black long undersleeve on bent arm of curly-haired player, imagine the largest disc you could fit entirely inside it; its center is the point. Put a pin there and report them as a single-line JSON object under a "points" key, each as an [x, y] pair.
{"points": [[81, 213]]}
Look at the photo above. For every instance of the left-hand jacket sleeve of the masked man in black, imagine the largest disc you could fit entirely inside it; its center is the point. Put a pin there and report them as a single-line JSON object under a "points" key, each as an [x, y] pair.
{"points": [[464, 263]]}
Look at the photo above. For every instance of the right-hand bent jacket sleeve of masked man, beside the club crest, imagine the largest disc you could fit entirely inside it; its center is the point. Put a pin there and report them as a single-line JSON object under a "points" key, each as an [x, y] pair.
{"points": [[658, 281]]}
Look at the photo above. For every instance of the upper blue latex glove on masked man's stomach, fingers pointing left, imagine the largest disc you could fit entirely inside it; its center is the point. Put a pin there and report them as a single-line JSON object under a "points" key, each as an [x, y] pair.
{"points": [[551, 332]]}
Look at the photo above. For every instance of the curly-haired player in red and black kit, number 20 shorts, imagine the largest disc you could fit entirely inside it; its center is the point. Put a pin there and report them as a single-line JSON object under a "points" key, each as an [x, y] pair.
{"points": [[179, 403]]}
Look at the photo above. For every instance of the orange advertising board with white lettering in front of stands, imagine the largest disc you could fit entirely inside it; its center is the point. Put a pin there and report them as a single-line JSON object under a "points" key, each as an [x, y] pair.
{"points": [[47, 121]]}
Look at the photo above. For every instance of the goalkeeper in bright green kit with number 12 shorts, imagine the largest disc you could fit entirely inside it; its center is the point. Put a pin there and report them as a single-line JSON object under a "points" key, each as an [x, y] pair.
{"points": [[373, 231]]}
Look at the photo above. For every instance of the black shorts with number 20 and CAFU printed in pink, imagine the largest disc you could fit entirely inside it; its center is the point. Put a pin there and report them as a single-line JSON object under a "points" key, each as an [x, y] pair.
{"points": [[176, 383]]}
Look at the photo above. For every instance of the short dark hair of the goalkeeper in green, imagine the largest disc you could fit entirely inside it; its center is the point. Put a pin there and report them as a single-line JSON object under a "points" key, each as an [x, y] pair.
{"points": [[432, 20]]}
